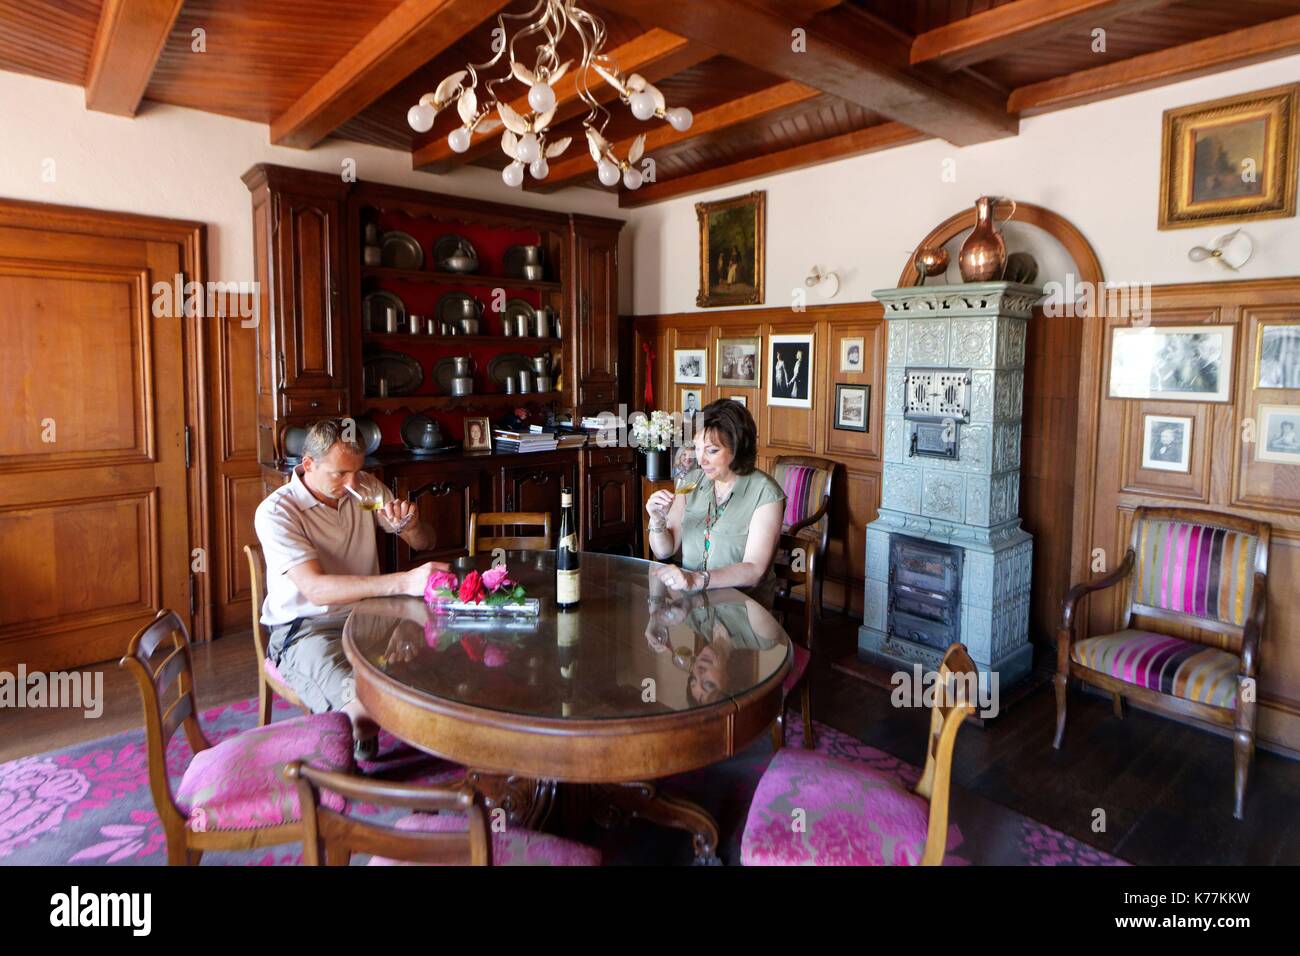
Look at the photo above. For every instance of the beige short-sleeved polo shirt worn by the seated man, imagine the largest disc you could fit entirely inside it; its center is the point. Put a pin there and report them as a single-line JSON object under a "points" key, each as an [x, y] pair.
{"points": [[294, 529]]}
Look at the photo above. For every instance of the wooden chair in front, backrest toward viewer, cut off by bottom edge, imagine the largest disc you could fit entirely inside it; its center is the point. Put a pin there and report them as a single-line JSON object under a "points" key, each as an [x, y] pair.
{"points": [[452, 830]]}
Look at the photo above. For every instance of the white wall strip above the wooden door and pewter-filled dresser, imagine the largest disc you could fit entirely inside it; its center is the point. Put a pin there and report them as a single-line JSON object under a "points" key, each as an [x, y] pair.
{"points": [[187, 165]]}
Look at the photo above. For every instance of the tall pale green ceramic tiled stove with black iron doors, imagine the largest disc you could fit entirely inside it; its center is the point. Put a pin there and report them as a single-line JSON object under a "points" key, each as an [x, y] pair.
{"points": [[947, 559]]}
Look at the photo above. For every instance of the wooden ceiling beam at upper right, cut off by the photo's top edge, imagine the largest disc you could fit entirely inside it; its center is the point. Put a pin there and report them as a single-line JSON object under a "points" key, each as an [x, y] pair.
{"points": [[1013, 28]]}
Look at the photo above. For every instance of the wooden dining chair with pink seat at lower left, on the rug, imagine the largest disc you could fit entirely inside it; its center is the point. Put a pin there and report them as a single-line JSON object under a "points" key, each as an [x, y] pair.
{"points": [[232, 795]]}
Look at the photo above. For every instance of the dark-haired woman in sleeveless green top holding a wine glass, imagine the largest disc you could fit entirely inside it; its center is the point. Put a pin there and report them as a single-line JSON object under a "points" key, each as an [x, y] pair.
{"points": [[729, 526]]}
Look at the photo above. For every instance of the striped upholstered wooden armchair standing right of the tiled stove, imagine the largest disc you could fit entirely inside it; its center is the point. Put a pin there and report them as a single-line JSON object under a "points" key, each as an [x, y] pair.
{"points": [[1191, 625]]}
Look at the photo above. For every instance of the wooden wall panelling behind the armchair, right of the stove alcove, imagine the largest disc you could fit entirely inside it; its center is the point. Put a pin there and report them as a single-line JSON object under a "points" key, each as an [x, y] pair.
{"points": [[1107, 499]]}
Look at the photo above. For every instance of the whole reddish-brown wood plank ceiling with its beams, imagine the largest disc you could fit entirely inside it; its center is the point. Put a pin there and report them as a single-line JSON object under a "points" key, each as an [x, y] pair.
{"points": [[877, 73]]}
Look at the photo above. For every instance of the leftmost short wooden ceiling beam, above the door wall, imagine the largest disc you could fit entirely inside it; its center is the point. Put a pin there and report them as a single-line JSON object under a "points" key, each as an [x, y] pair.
{"points": [[128, 45]]}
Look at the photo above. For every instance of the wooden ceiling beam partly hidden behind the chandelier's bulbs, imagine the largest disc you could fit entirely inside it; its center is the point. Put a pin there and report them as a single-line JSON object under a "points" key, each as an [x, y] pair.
{"points": [[656, 54]]}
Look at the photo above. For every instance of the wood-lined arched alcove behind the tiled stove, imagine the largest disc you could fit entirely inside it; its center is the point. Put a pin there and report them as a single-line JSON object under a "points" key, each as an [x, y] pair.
{"points": [[1051, 439]]}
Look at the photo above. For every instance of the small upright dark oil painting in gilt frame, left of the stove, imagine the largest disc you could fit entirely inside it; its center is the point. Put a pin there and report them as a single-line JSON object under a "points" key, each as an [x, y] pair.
{"points": [[733, 240]]}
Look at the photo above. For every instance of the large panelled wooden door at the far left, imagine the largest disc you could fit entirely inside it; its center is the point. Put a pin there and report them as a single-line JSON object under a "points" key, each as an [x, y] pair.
{"points": [[94, 487]]}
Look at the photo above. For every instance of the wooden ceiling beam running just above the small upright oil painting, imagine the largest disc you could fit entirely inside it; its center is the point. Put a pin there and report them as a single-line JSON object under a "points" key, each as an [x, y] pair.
{"points": [[870, 140]]}
